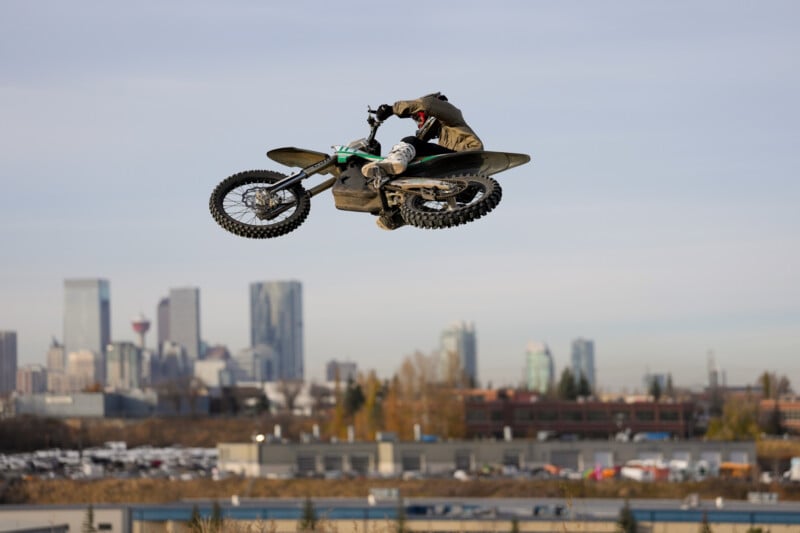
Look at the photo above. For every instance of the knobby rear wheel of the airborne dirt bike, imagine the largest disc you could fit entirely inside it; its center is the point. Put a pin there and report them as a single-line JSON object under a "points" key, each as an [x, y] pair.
{"points": [[474, 196]]}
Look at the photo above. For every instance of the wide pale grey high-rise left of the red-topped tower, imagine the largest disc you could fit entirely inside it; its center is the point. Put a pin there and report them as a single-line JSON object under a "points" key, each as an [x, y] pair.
{"points": [[87, 316]]}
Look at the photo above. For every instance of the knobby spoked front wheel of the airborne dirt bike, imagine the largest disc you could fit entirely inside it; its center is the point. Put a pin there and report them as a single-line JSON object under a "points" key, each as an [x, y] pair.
{"points": [[242, 205]]}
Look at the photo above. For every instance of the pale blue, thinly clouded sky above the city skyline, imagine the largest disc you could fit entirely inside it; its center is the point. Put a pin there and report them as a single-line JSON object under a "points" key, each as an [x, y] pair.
{"points": [[659, 216]]}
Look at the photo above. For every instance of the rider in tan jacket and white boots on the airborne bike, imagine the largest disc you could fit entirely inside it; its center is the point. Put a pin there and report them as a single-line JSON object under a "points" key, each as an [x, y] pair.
{"points": [[453, 132]]}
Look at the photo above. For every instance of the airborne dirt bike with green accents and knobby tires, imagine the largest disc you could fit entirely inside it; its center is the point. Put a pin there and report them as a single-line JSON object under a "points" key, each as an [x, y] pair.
{"points": [[437, 191]]}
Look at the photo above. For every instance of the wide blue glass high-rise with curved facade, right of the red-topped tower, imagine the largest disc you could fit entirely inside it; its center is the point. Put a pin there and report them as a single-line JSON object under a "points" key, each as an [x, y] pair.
{"points": [[276, 320]]}
